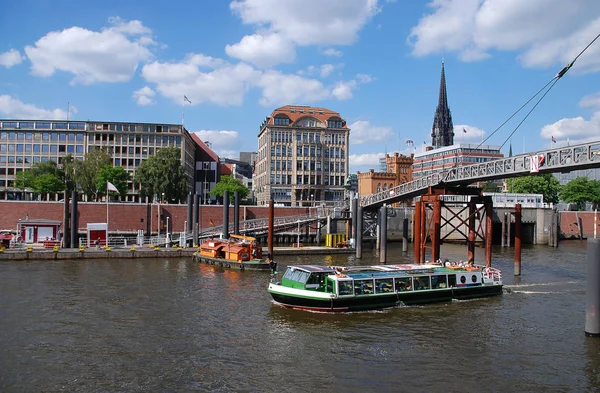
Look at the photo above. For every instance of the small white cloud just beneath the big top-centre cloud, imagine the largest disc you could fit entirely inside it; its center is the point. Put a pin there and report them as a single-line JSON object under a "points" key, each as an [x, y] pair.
{"points": [[263, 50]]}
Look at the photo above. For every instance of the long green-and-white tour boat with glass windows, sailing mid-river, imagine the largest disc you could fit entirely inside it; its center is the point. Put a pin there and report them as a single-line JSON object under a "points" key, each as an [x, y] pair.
{"points": [[337, 289]]}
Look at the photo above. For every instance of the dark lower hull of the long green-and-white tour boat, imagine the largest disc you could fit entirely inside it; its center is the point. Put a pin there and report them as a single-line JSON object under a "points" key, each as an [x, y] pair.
{"points": [[359, 303]]}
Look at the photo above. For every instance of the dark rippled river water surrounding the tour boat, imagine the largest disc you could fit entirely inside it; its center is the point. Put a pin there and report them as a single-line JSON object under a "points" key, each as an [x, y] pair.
{"points": [[175, 325]]}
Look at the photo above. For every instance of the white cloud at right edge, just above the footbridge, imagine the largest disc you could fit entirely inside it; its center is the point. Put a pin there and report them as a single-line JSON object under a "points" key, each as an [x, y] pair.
{"points": [[576, 129]]}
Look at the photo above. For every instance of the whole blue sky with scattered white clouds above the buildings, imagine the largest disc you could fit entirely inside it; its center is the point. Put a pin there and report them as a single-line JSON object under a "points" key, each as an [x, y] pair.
{"points": [[375, 62]]}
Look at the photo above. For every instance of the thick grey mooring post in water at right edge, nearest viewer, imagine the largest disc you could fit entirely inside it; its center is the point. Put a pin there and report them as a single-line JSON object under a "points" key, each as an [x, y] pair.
{"points": [[592, 298]]}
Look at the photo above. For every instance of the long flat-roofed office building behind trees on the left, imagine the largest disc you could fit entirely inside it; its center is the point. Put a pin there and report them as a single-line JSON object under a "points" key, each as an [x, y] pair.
{"points": [[27, 142]]}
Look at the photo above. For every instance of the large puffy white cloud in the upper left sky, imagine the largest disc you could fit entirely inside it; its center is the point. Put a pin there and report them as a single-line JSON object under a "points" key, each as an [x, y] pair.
{"points": [[111, 55]]}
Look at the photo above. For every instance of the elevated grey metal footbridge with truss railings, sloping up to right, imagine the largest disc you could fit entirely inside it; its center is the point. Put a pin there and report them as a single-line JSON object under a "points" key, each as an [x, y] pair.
{"points": [[563, 159]]}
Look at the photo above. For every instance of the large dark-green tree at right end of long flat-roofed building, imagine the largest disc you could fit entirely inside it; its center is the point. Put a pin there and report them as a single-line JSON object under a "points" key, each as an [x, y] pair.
{"points": [[163, 174]]}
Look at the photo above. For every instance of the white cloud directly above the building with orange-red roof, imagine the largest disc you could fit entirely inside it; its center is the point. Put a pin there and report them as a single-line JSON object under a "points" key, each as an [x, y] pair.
{"points": [[279, 88]]}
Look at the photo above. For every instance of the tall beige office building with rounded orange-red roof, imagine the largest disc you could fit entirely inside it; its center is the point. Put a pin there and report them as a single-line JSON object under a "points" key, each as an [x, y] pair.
{"points": [[302, 157]]}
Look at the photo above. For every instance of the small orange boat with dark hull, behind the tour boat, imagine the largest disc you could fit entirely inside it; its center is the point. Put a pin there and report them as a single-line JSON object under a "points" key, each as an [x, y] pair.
{"points": [[240, 252]]}
